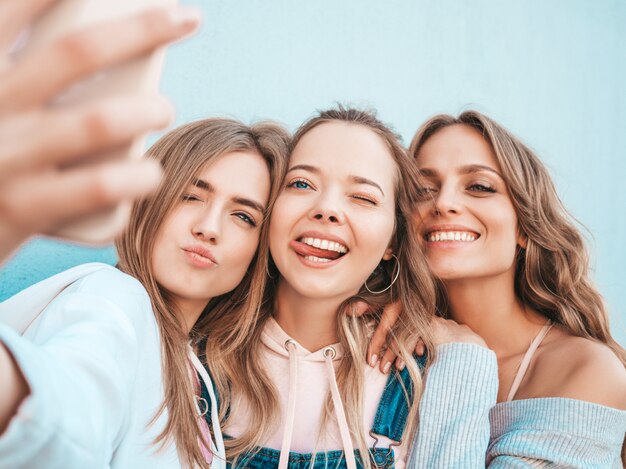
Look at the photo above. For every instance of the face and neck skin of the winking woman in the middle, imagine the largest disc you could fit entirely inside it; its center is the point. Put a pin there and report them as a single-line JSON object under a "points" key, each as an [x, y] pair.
{"points": [[340, 183]]}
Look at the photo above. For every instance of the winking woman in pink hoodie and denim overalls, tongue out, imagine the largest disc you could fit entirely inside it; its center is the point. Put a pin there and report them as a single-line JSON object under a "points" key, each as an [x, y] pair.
{"points": [[292, 381]]}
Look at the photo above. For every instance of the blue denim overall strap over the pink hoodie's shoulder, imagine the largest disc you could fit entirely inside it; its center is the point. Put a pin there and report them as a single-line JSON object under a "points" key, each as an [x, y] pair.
{"points": [[393, 408]]}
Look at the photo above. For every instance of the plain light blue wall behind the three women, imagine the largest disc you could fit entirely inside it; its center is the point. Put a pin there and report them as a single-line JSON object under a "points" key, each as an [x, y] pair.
{"points": [[553, 72]]}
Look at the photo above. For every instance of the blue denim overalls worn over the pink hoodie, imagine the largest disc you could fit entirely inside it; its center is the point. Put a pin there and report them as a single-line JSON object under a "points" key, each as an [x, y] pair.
{"points": [[389, 421]]}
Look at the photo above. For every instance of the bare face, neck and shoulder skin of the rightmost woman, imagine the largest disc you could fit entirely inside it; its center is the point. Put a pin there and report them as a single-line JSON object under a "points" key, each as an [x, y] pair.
{"points": [[469, 195]]}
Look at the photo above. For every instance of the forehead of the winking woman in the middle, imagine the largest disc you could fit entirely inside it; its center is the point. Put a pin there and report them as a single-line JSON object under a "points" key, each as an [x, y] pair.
{"points": [[341, 149]]}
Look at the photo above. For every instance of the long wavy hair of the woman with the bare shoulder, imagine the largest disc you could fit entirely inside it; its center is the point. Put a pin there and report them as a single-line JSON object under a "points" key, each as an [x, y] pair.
{"points": [[552, 272]]}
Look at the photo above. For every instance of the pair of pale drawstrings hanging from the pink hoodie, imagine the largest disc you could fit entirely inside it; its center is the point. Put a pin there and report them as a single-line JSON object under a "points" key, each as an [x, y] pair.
{"points": [[329, 354]]}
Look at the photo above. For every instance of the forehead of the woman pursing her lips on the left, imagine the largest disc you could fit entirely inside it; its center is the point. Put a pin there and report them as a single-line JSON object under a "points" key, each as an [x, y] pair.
{"points": [[241, 173]]}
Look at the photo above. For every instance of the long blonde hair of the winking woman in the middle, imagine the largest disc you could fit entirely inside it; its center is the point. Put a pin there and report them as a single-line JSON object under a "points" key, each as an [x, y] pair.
{"points": [[234, 359]]}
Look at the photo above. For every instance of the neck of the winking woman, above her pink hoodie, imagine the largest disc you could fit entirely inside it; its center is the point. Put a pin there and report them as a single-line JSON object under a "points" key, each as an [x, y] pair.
{"points": [[312, 322]]}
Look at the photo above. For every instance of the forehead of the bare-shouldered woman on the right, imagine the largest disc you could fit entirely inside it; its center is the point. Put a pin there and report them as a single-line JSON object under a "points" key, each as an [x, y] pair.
{"points": [[456, 145]]}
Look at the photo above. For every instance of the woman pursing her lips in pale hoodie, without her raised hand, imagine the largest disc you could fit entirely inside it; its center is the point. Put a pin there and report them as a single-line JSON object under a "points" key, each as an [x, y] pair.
{"points": [[104, 356]]}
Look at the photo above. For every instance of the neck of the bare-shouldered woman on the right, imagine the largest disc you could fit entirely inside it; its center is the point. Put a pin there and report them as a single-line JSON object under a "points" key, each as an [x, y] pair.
{"points": [[490, 308]]}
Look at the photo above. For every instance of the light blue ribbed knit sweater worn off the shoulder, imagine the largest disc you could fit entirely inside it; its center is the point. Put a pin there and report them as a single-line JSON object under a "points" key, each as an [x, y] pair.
{"points": [[460, 422]]}
